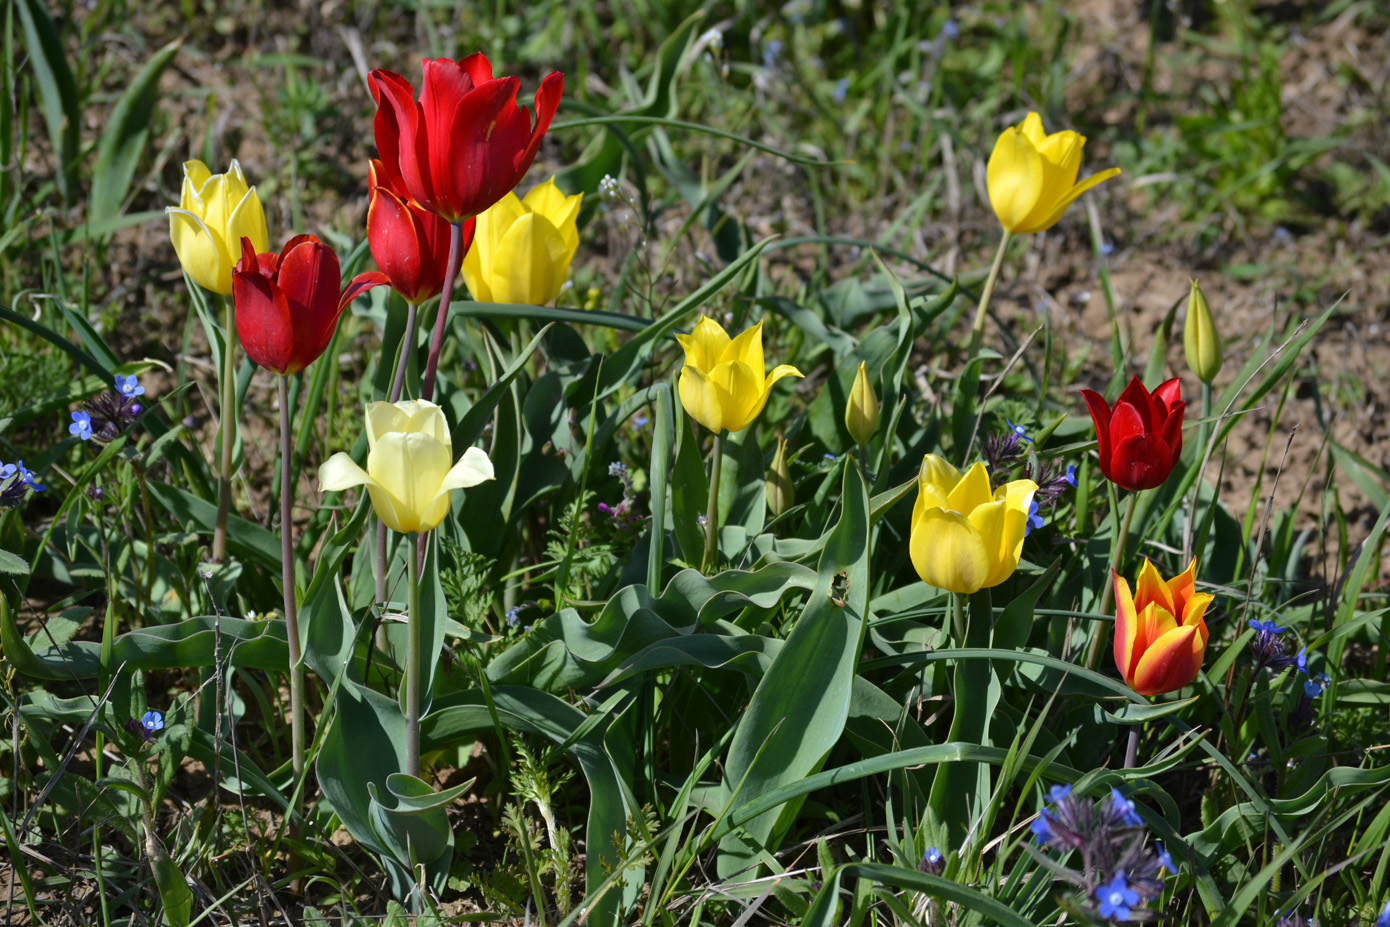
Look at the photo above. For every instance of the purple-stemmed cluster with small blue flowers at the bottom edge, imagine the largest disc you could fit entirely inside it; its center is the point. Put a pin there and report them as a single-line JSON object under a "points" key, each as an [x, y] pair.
{"points": [[1120, 873]]}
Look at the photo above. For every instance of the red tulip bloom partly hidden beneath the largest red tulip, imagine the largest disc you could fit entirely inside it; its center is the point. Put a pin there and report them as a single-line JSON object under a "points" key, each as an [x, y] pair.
{"points": [[411, 245]]}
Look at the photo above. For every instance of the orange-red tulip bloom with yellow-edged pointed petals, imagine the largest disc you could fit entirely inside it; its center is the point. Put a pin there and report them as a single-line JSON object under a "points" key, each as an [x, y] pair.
{"points": [[1160, 633]]}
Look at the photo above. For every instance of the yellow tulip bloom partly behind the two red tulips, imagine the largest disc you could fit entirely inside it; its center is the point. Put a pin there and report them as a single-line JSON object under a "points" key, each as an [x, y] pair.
{"points": [[522, 249]]}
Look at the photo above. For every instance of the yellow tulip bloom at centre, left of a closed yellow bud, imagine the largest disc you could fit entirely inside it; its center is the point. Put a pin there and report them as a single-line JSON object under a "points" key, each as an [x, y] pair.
{"points": [[722, 384]]}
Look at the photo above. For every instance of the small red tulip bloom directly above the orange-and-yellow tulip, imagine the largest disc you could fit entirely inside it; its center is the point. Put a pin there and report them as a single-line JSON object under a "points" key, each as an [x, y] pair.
{"points": [[1142, 437]]}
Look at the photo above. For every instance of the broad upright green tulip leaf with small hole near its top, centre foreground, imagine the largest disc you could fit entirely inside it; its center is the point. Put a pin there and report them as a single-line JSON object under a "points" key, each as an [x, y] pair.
{"points": [[800, 708]]}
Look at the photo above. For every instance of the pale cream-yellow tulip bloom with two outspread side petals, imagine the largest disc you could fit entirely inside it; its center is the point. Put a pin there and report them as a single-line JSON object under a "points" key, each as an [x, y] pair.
{"points": [[409, 475]]}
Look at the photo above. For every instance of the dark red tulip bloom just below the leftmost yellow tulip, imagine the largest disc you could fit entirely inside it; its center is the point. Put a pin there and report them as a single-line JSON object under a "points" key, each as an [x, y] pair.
{"points": [[288, 304]]}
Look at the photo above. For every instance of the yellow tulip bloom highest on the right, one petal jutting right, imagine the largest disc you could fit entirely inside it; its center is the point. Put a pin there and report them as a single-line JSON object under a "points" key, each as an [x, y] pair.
{"points": [[1032, 176]]}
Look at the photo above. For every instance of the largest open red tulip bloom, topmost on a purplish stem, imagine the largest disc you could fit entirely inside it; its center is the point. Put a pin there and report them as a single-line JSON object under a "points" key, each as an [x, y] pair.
{"points": [[466, 142]]}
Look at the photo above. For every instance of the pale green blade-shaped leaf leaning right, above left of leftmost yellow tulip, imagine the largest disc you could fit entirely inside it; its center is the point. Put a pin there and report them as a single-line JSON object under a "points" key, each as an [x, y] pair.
{"points": [[124, 140]]}
